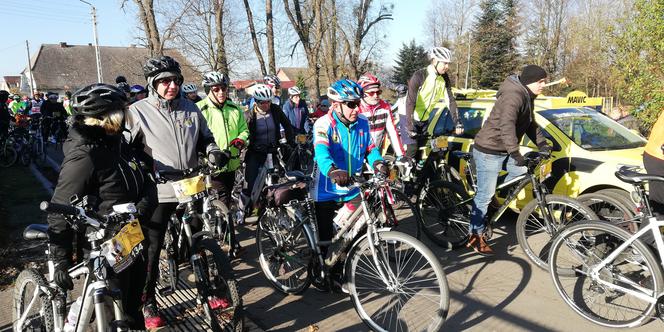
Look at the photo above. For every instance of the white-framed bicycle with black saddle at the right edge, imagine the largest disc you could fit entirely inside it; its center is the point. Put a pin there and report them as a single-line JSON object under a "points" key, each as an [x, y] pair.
{"points": [[600, 269]]}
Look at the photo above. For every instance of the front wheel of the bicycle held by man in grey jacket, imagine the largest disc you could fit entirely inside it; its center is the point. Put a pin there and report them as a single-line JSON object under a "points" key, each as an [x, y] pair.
{"points": [[217, 287]]}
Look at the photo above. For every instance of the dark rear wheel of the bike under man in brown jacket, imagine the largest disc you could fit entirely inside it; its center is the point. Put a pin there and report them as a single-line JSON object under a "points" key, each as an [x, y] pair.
{"points": [[444, 209]]}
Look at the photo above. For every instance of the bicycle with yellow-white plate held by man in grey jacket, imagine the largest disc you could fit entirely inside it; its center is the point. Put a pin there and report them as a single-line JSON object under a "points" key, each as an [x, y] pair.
{"points": [[214, 279]]}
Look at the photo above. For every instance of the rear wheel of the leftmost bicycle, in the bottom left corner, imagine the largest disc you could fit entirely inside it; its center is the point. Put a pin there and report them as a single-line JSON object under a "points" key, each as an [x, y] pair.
{"points": [[40, 316]]}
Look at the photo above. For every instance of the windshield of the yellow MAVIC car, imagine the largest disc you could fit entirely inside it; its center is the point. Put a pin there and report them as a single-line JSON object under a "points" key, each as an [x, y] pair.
{"points": [[592, 130]]}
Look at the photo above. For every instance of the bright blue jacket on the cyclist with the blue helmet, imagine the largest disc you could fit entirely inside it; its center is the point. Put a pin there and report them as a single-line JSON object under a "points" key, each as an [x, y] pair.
{"points": [[341, 146]]}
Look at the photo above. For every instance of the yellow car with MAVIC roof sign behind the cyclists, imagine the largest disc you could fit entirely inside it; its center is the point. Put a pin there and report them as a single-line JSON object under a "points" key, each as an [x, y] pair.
{"points": [[588, 146]]}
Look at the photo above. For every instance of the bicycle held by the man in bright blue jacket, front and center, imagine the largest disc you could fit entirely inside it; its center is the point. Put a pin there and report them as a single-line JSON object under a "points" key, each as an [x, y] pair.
{"points": [[375, 259]]}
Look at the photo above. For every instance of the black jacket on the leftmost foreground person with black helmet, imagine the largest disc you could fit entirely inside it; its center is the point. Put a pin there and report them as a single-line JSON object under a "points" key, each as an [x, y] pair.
{"points": [[100, 166]]}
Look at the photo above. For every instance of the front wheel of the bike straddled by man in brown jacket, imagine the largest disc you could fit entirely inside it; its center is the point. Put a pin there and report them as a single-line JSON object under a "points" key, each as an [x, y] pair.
{"points": [[534, 235]]}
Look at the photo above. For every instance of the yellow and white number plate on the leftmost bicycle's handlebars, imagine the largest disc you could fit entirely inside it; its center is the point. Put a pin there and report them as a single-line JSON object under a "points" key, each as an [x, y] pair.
{"points": [[124, 247]]}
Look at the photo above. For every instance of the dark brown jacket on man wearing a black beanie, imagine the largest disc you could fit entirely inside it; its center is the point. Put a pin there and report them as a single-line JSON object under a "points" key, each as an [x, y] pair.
{"points": [[512, 116]]}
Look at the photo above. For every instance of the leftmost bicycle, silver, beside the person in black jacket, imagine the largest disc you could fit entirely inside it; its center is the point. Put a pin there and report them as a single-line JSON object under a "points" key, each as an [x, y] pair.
{"points": [[39, 304]]}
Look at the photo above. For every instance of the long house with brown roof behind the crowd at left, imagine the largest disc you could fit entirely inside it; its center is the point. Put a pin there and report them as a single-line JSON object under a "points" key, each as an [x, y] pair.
{"points": [[61, 67]]}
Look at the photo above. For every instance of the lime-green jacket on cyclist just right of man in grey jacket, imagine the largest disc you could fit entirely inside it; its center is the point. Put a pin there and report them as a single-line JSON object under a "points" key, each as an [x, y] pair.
{"points": [[226, 125]]}
